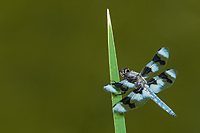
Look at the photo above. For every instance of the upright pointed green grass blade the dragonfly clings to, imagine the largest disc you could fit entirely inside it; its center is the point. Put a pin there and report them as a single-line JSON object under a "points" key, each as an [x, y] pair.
{"points": [[119, 121]]}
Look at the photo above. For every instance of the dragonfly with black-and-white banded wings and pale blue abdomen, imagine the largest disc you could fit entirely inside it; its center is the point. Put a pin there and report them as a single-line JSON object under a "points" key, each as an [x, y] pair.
{"points": [[141, 89]]}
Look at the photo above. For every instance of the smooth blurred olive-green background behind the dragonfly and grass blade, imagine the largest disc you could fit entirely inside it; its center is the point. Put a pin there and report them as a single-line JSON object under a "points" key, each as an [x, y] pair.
{"points": [[54, 64]]}
